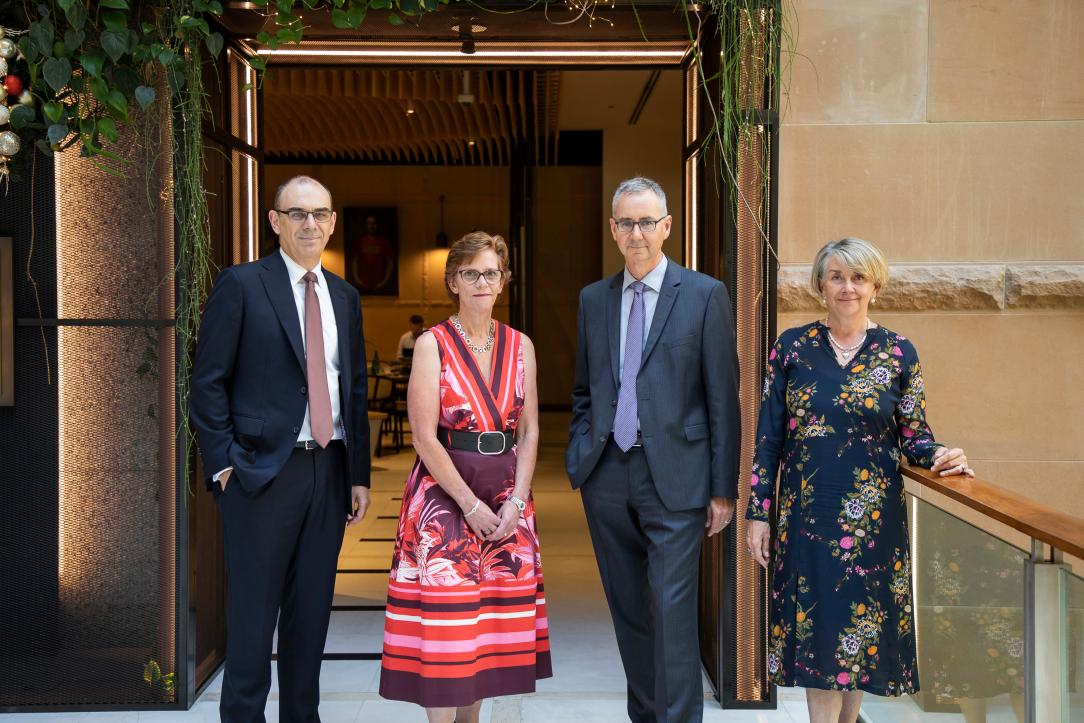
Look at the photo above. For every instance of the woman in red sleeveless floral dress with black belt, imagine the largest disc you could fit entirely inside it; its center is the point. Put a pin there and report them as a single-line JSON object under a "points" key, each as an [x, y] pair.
{"points": [[467, 611]]}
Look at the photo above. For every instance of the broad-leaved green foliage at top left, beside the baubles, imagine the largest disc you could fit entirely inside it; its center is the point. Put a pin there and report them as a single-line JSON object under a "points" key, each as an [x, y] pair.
{"points": [[100, 58]]}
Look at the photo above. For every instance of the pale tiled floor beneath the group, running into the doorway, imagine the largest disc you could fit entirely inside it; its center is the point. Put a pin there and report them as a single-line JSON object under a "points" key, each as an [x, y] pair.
{"points": [[588, 685]]}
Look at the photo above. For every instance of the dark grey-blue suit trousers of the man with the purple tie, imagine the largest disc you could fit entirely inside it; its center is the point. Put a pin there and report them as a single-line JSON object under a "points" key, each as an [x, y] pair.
{"points": [[649, 561]]}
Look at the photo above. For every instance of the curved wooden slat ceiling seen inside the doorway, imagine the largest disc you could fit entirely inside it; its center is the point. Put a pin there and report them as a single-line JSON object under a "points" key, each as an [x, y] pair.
{"points": [[362, 114]]}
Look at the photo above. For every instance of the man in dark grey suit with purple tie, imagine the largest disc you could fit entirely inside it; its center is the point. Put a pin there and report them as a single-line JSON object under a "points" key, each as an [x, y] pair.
{"points": [[654, 448]]}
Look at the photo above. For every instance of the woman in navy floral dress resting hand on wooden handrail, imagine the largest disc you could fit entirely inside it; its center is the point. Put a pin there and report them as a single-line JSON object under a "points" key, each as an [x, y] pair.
{"points": [[844, 401]]}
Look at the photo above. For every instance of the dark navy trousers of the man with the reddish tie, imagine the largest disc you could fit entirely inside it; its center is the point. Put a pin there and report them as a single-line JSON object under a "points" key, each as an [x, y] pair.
{"points": [[282, 547]]}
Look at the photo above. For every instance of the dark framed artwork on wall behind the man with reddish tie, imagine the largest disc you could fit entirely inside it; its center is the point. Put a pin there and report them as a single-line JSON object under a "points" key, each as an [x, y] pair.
{"points": [[371, 244]]}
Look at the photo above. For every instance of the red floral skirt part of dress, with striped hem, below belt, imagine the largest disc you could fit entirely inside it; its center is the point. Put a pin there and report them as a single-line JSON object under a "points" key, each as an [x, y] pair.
{"points": [[466, 618]]}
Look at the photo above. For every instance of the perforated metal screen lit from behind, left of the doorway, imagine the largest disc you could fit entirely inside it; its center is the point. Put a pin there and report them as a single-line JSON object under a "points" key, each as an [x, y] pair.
{"points": [[87, 579]]}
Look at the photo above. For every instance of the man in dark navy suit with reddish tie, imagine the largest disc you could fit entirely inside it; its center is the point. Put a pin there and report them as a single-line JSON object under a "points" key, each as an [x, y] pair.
{"points": [[279, 406]]}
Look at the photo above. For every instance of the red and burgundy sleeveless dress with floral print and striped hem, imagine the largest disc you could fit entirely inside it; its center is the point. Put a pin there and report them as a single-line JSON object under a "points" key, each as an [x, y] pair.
{"points": [[467, 618]]}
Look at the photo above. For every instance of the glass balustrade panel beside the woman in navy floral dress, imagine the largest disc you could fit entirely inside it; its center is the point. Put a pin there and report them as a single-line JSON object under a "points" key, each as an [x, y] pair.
{"points": [[971, 625]]}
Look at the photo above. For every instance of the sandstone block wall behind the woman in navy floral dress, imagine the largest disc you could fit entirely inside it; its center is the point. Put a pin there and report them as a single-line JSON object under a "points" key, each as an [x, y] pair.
{"points": [[949, 134]]}
